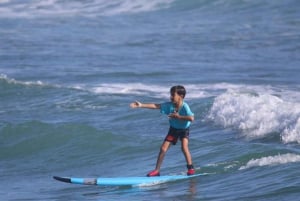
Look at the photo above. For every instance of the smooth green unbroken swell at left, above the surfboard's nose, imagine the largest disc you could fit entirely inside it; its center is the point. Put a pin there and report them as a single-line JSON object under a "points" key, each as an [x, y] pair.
{"points": [[35, 138]]}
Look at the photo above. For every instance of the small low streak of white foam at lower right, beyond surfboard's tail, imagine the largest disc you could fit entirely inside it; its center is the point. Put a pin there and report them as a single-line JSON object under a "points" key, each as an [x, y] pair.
{"points": [[272, 160]]}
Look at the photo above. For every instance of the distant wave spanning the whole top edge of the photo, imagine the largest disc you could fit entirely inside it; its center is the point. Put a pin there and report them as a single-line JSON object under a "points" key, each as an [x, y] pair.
{"points": [[94, 8]]}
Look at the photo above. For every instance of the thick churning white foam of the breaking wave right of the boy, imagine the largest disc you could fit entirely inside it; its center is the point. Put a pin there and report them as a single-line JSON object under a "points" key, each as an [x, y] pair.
{"points": [[257, 115]]}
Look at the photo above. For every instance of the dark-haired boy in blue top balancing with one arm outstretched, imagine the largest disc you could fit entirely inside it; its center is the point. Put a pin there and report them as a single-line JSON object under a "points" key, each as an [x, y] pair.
{"points": [[180, 118]]}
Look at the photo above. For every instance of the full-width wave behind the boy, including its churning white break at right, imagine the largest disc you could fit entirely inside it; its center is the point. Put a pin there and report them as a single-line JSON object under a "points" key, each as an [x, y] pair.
{"points": [[257, 111]]}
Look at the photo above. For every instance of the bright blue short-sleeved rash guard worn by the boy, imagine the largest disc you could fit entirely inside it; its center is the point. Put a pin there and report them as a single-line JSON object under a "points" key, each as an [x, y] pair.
{"points": [[168, 108]]}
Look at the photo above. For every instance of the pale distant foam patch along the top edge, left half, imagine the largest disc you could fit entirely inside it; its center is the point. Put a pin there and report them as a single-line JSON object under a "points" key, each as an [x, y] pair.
{"points": [[38, 8]]}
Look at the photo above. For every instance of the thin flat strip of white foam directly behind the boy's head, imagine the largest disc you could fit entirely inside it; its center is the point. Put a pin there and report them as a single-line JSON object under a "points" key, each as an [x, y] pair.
{"points": [[194, 91]]}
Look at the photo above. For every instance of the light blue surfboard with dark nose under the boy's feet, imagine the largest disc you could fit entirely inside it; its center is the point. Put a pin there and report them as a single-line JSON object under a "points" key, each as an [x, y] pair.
{"points": [[125, 181]]}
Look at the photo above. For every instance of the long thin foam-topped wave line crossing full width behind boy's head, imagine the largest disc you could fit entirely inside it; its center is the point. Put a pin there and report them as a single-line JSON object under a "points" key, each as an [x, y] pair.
{"points": [[194, 91]]}
